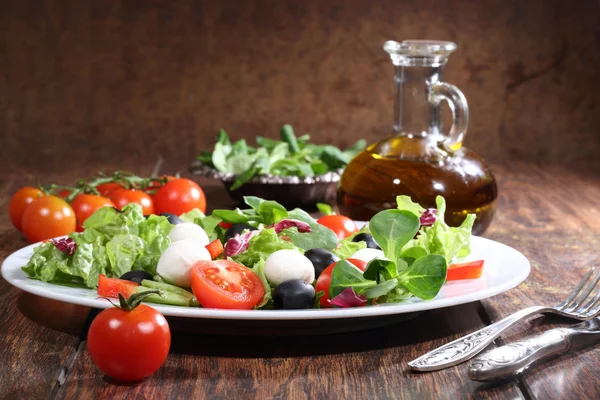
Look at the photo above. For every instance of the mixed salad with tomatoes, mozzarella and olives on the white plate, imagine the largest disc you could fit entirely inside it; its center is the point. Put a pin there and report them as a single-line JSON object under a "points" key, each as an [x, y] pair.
{"points": [[261, 257]]}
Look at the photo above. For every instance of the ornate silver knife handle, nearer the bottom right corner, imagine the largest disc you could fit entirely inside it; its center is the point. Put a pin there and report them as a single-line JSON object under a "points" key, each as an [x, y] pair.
{"points": [[512, 359]]}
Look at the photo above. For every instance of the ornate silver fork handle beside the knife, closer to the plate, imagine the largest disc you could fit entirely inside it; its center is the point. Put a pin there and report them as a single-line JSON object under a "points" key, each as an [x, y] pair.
{"points": [[466, 347]]}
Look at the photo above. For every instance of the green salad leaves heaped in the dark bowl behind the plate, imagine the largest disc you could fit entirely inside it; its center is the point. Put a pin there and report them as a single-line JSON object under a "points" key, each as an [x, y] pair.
{"points": [[290, 156]]}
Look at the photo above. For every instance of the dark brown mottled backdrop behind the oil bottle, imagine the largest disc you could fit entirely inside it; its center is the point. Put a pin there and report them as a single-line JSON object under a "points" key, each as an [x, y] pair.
{"points": [[107, 84]]}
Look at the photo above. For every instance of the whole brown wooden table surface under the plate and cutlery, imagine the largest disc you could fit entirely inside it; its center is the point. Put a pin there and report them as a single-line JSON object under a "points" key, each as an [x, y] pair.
{"points": [[549, 213]]}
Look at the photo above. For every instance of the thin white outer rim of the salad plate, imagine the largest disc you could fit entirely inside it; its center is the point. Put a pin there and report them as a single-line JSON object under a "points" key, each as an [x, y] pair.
{"points": [[41, 290]]}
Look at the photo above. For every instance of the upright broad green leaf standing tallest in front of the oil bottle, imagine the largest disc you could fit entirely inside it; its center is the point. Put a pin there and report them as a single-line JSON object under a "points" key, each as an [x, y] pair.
{"points": [[392, 229]]}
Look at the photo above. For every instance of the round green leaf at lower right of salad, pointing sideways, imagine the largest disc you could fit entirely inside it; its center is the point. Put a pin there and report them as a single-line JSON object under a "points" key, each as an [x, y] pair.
{"points": [[425, 276]]}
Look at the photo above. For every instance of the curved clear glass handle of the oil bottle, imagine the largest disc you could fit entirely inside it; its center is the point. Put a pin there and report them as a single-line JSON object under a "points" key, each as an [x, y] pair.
{"points": [[460, 113]]}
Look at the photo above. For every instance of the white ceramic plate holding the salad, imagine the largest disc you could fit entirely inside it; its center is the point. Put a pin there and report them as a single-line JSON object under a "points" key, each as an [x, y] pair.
{"points": [[504, 268]]}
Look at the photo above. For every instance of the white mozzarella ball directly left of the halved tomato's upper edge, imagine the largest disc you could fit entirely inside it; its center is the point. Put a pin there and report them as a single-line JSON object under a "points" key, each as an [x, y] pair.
{"points": [[175, 264]]}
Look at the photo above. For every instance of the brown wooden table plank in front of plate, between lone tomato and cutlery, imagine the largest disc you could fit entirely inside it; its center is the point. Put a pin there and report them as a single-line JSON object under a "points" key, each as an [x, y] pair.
{"points": [[358, 365]]}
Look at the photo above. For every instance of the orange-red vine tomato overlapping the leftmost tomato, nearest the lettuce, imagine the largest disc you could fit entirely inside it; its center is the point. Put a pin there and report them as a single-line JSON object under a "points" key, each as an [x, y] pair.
{"points": [[47, 217]]}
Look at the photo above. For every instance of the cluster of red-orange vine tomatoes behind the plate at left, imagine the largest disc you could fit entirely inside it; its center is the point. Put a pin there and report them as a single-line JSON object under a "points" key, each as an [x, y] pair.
{"points": [[47, 212]]}
